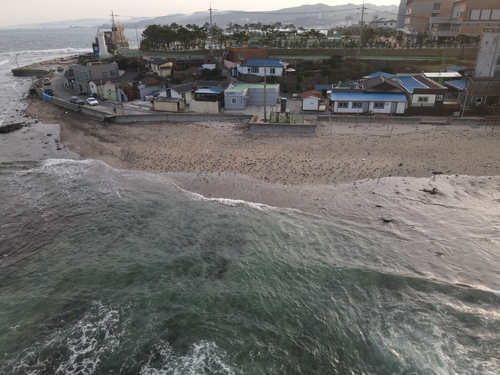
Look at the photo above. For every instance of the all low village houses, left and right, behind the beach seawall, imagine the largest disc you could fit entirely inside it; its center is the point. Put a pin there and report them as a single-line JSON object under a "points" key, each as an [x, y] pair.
{"points": [[440, 93]]}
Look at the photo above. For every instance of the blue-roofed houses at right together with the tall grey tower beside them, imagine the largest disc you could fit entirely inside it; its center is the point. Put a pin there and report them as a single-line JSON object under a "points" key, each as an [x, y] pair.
{"points": [[433, 94]]}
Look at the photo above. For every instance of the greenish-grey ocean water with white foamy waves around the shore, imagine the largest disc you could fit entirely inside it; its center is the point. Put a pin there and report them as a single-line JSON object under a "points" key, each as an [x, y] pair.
{"points": [[106, 271]]}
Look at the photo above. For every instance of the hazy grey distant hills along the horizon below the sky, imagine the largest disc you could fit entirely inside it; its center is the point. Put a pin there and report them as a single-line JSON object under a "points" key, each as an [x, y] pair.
{"points": [[319, 15]]}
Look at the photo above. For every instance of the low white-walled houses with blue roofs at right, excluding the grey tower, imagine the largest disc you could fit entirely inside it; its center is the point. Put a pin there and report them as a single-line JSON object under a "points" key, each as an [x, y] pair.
{"points": [[423, 94]]}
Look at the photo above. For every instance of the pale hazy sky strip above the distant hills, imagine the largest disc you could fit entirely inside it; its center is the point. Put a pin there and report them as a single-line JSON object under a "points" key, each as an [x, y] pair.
{"points": [[39, 11]]}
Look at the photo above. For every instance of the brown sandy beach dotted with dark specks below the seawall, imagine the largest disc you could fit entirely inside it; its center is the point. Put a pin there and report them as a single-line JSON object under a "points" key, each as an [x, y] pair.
{"points": [[222, 159]]}
